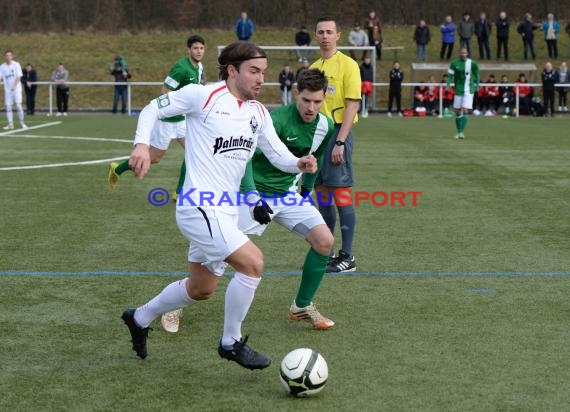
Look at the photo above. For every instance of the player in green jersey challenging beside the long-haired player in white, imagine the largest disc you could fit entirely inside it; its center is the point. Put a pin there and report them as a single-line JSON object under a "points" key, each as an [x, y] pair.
{"points": [[304, 131]]}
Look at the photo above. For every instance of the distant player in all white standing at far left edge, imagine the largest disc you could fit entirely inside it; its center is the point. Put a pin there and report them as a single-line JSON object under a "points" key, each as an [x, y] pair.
{"points": [[11, 75]]}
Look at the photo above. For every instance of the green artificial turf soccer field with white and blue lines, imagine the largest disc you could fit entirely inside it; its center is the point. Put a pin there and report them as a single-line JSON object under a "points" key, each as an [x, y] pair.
{"points": [[459, 303]]}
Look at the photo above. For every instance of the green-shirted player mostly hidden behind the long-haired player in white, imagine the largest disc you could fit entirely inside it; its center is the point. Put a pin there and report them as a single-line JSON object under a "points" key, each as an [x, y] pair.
{"points": [[187, 70]]}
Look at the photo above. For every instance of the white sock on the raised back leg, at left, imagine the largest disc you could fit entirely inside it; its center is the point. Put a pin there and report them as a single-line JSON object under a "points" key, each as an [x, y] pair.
{"points": [[174, 296]]}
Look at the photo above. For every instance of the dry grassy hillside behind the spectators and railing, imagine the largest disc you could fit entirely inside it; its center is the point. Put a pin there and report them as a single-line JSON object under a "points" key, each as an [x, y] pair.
{"points": [[149, 56]]}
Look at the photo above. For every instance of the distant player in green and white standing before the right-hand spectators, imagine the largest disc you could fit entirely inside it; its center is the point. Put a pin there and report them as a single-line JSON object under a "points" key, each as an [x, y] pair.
{"points": [[465, 74]]}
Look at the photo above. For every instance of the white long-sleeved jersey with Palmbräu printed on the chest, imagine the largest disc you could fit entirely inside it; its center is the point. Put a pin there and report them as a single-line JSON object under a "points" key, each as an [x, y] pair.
{"points": [[222, 135]]}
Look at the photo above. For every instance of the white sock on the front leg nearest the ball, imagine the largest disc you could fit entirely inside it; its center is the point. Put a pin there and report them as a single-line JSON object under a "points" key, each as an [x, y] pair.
{"points": [[239, 295]]}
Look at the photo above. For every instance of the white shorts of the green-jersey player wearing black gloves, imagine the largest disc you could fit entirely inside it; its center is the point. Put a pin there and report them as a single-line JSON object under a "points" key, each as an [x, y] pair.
{"points": [[290, 212]]}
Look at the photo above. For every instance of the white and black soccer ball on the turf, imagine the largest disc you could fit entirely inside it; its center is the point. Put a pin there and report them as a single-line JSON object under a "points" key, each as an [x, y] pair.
{"points": [[304, 372]]}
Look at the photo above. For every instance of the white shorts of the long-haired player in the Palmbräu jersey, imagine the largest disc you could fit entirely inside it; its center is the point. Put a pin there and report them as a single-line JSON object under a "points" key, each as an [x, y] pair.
{"points": [[213, 236]]}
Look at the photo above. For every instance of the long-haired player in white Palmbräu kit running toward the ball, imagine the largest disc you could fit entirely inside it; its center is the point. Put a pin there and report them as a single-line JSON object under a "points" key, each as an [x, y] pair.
{"points": [[224, 126]]}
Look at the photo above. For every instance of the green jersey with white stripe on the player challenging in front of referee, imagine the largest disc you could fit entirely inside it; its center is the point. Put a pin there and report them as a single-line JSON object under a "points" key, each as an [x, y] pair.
{"points": [[301, 139]]}
